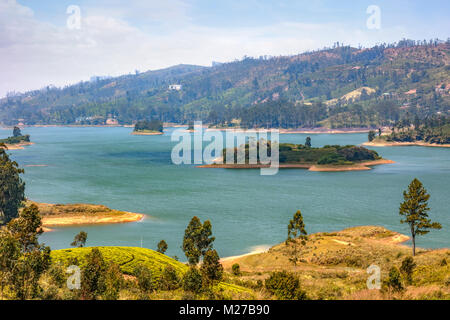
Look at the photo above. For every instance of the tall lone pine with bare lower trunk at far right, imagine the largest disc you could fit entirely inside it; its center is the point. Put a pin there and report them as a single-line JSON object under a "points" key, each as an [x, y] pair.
{"points": [[415, 210]]}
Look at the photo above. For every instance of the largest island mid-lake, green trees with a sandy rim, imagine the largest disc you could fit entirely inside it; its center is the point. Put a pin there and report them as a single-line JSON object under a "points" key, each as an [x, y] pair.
{"points": [[298, 156]]}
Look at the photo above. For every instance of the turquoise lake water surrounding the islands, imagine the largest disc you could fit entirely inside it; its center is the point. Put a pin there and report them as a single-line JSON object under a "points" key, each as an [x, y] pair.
{"points": [[134, 173]]}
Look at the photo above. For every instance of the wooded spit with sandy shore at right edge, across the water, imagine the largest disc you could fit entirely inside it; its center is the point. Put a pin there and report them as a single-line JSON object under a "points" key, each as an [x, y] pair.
{"points": [[433, 132]]}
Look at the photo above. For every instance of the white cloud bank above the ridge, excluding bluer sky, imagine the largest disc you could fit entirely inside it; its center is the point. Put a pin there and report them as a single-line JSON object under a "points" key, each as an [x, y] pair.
{"points": [[34, 54]]}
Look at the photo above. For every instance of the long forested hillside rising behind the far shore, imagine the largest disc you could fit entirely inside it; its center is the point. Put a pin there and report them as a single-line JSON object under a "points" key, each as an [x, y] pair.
{"points": [[335, 87]]}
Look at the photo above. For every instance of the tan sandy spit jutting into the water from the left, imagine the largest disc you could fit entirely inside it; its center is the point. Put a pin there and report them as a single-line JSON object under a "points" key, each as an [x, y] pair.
{"points": [[61, 215]]}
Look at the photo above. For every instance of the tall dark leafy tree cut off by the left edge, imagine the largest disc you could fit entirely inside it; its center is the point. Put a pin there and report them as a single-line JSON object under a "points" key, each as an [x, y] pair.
{"points": [[12, 187]]}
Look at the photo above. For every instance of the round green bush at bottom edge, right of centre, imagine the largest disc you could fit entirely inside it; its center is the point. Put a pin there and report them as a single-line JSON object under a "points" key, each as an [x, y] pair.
{"points": [[285, 286]]}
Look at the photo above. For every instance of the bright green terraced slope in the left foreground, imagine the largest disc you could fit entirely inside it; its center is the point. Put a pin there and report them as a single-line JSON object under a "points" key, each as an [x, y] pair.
{"points": [[129, 259]]}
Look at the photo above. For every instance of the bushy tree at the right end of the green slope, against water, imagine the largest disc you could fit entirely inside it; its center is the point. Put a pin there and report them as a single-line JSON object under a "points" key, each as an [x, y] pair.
{"points": [[197, 240]]}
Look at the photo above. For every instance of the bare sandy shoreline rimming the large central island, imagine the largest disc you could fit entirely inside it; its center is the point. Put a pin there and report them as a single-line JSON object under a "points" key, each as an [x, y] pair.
{"points": [[361, 166]]}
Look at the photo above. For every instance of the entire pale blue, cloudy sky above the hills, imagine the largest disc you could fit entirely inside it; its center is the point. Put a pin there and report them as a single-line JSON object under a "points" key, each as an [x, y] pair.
{"points": [[37, 48]]}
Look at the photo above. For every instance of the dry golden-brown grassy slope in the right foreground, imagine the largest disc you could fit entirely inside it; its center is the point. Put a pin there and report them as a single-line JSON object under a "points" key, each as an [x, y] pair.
{"points": [[333, 265]]}
